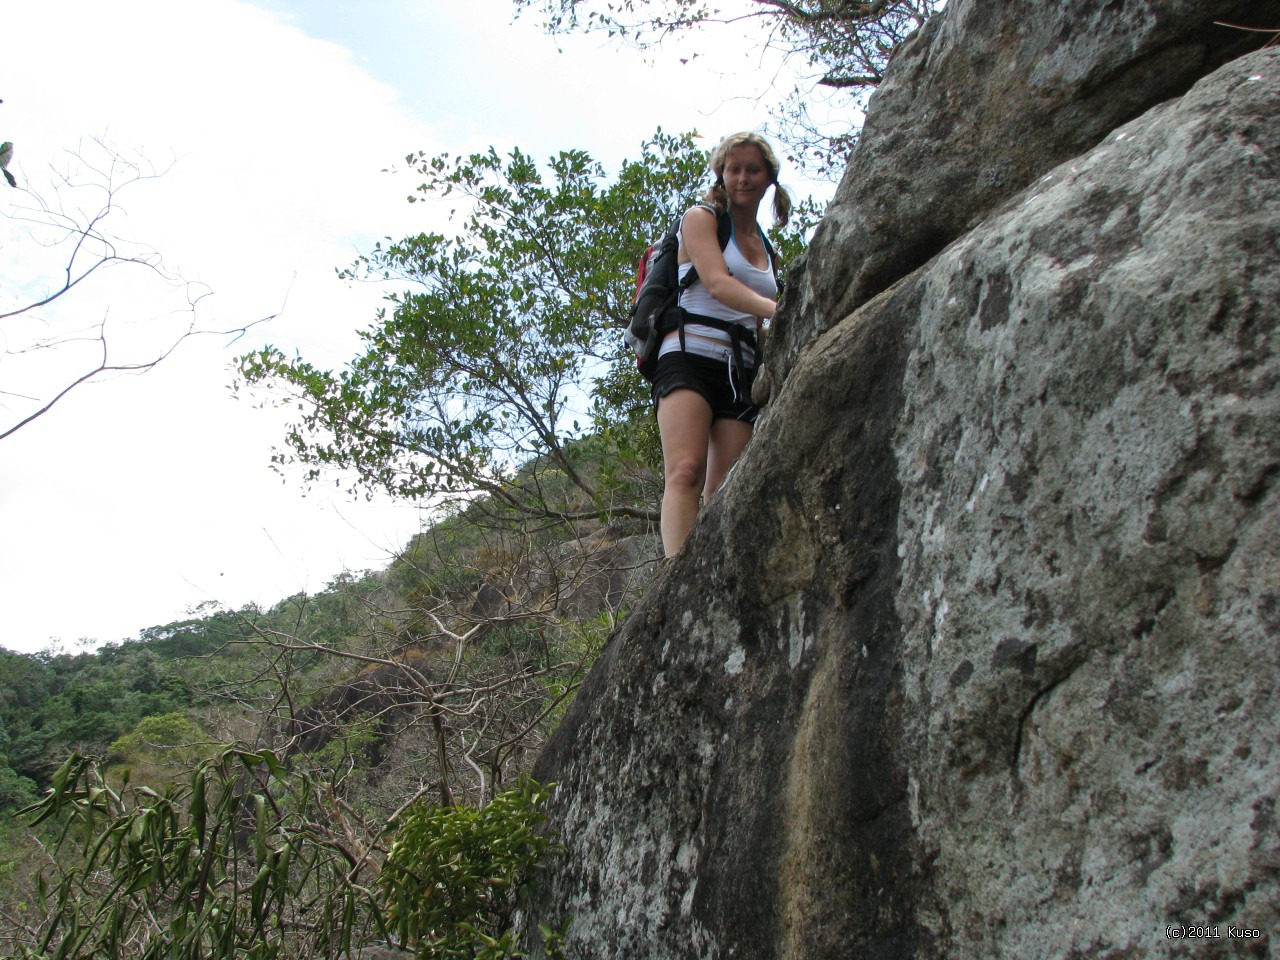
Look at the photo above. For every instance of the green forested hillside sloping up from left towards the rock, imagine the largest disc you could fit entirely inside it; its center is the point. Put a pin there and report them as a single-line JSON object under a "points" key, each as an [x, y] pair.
{"points": [[427, 688]]}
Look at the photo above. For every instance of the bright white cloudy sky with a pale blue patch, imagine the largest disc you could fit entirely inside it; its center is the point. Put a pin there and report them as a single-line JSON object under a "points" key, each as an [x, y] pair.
{"points": [[277, 132]]}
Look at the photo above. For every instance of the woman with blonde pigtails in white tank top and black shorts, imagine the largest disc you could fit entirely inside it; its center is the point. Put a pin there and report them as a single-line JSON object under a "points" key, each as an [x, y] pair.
{"points": [[703, 381]]}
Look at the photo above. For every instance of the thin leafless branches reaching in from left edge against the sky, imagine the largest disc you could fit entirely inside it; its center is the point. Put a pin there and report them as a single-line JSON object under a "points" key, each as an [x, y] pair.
{"points": [[58, 245]]}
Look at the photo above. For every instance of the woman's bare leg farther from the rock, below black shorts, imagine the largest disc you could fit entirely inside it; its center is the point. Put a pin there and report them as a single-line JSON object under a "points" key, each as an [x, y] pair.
{"points": [[685, 423]]}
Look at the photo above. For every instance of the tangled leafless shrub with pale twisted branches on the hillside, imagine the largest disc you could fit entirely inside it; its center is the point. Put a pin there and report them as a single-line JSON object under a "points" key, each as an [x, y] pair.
{"points": [[456, 694]]}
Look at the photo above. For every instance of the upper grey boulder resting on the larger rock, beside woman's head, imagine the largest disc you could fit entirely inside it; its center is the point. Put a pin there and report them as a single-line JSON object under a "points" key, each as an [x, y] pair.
{"points": [[984, 100]]}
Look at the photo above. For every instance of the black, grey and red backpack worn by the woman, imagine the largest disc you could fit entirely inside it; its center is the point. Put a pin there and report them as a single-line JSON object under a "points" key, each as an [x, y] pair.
{"points": [[659, 286]]}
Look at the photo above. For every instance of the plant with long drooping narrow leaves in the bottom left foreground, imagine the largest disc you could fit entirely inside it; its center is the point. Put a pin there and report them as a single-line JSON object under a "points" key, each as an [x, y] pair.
{"points": [[240, 862]]}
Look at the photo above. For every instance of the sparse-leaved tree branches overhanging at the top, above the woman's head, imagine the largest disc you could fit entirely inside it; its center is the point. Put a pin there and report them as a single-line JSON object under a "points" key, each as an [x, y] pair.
{"points": [[843, 45]]}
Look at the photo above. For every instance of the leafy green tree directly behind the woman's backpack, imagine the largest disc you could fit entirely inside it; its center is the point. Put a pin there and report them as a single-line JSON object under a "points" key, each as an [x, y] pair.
{"points": [[502, 371]]}
